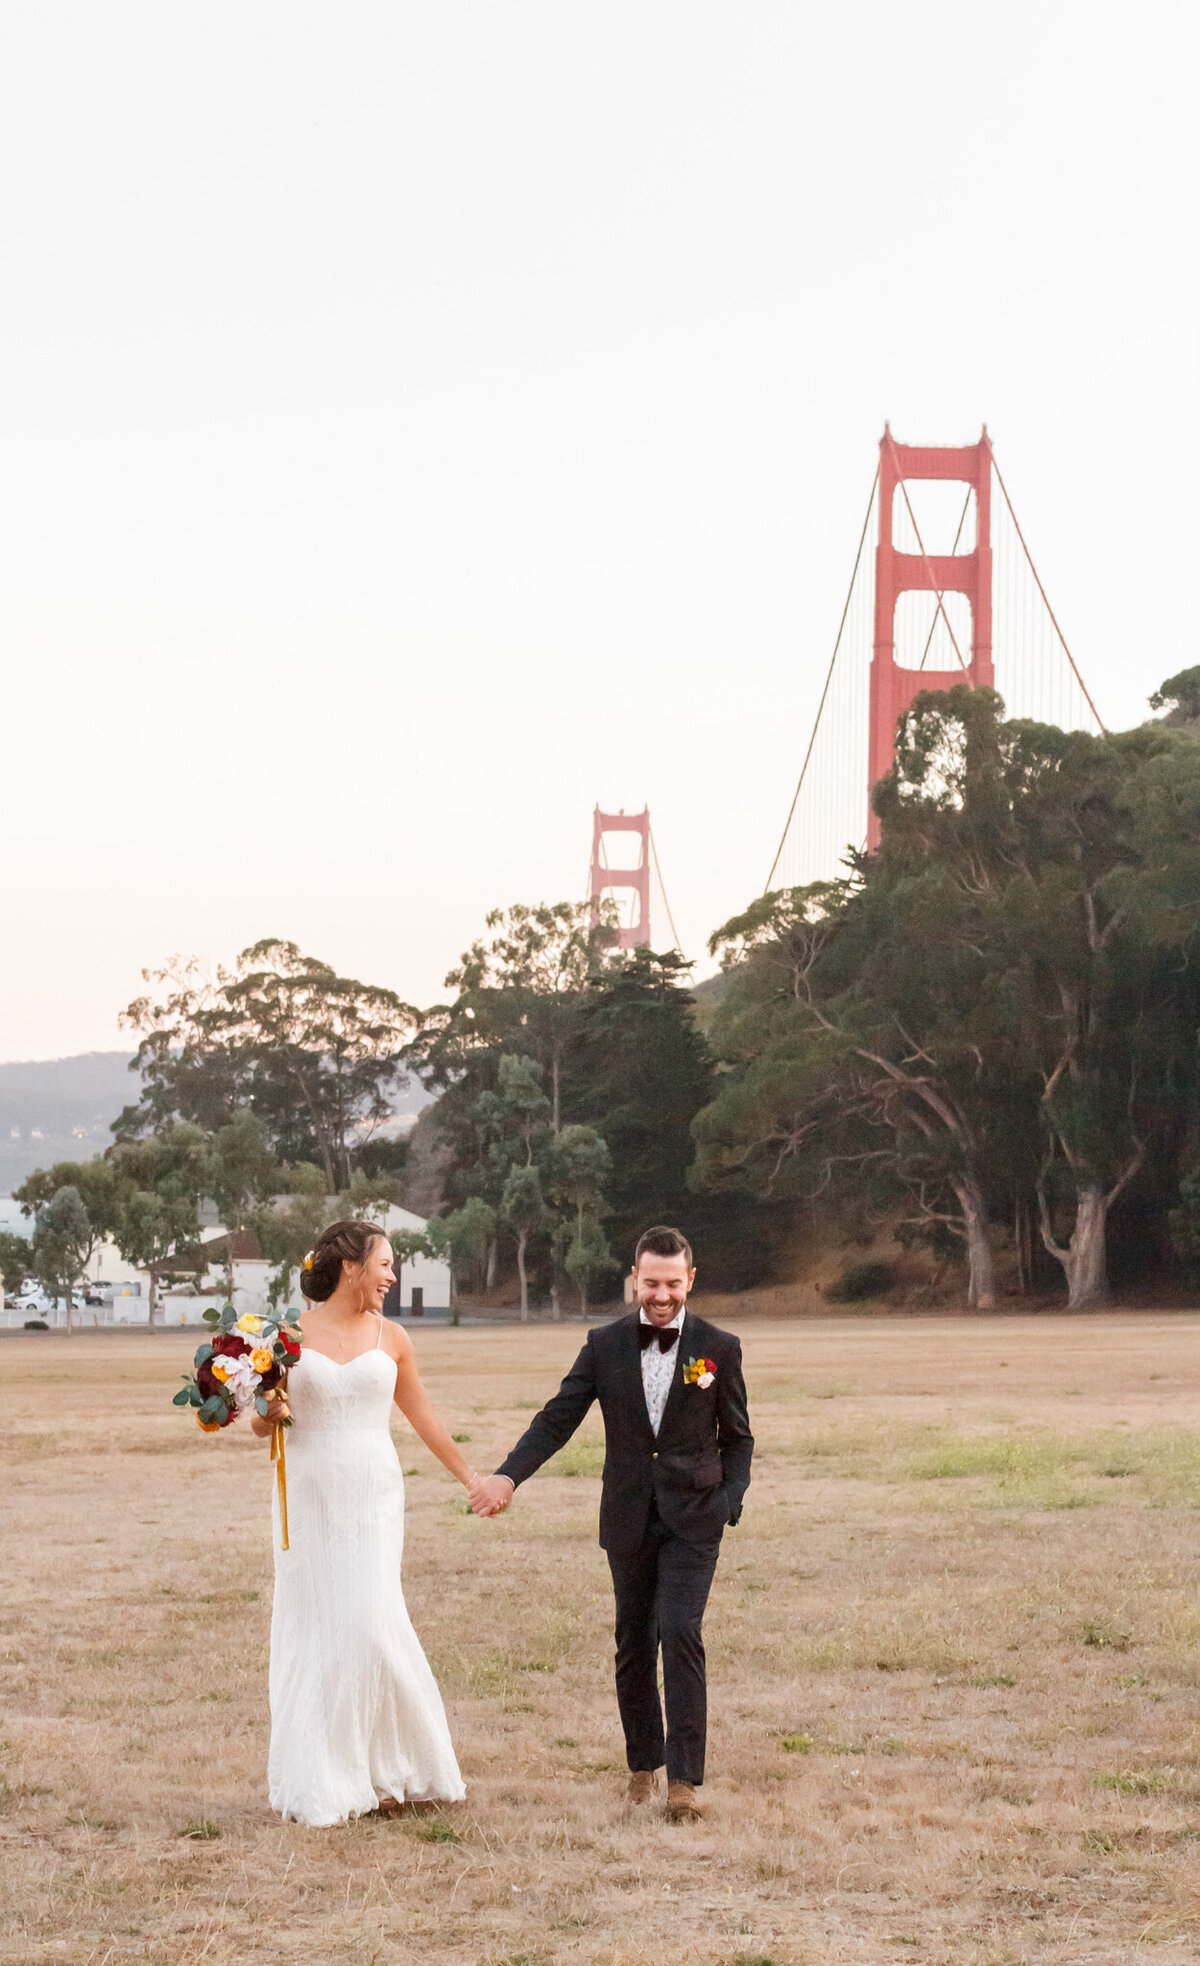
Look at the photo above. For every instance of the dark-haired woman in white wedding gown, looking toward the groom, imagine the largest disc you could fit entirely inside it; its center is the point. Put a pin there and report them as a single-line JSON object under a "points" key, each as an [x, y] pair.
{"points": [[357, 1719]]}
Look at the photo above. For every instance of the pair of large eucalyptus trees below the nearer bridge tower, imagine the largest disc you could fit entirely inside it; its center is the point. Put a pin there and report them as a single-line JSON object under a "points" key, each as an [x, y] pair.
{"points": [[996, 1010]]}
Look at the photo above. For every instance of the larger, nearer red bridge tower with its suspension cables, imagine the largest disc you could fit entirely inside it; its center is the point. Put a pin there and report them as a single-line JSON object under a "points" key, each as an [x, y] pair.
{"points": [[949, 597]]}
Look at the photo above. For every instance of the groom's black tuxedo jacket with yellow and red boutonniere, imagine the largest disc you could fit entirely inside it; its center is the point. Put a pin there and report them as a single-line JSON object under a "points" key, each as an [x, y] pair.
{"points": [[699, 1466]]}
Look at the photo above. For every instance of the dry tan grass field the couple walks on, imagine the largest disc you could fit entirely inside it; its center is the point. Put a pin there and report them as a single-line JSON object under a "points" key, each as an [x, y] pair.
{"points": [[955, 1666]]}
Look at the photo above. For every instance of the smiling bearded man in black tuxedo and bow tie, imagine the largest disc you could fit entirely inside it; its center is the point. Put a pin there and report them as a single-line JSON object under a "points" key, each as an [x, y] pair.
{"points": [[676, 1470]]}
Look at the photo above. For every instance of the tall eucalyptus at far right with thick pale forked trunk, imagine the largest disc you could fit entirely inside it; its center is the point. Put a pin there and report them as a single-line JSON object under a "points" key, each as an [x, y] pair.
{"points": [[1075, 860]]}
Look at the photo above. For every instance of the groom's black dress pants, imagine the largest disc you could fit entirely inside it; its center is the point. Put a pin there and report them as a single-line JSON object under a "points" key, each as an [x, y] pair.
{"points": [[662, 1591]]}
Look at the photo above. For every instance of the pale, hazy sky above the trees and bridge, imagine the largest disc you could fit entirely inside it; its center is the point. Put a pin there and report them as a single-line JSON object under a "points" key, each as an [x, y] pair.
{"points": [[426, 422]]}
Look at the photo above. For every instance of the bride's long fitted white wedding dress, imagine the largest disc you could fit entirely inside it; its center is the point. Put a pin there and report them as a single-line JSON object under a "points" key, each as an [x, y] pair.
{"points": [[355, 1707]]}
